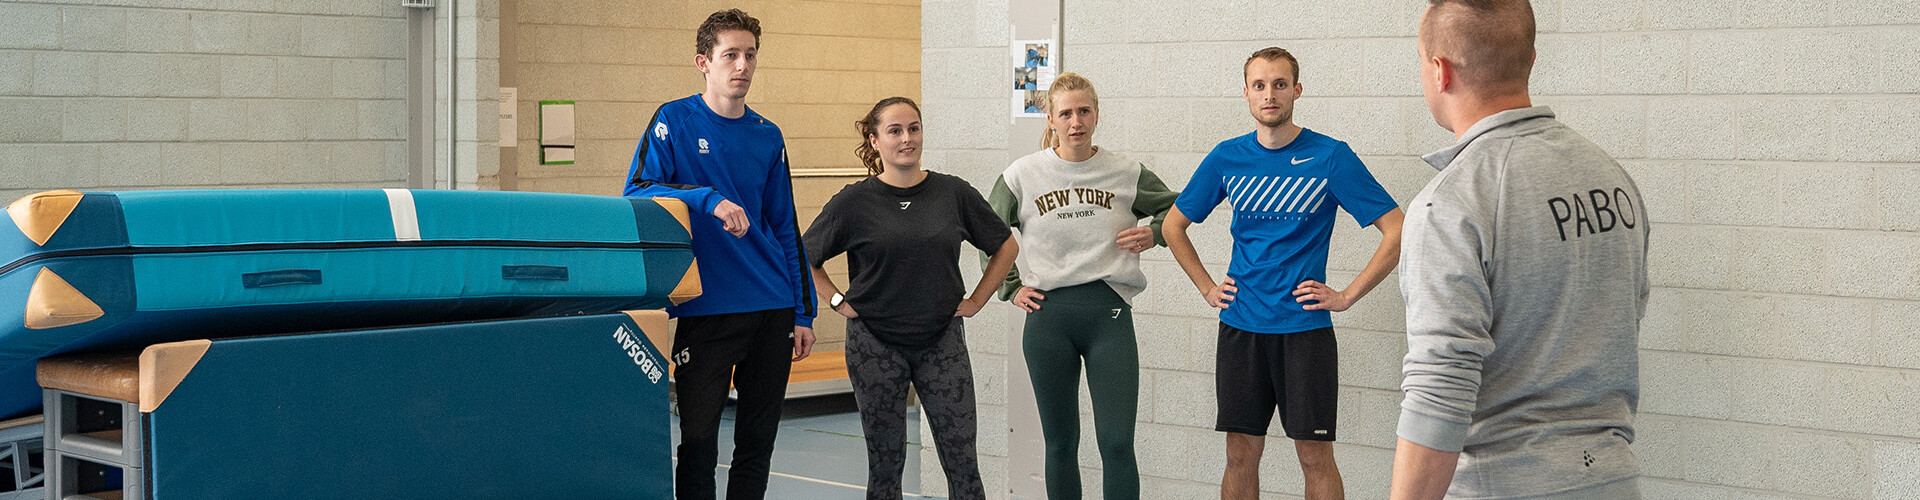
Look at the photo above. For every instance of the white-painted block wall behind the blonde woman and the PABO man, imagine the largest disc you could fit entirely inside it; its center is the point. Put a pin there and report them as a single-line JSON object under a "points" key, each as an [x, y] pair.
{"points": [[1775, 143]]}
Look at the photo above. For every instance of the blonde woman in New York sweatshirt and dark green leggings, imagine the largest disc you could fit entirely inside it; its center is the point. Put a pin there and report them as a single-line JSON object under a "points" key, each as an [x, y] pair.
{"points": [[1078, 209]]}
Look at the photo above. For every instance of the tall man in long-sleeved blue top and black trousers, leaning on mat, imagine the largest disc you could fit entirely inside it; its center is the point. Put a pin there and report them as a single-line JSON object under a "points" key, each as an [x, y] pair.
{"points": [[757, 311]]}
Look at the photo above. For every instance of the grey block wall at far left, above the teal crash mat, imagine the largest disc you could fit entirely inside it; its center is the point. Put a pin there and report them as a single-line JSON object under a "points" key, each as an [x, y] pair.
{"points": [[201, 93]]}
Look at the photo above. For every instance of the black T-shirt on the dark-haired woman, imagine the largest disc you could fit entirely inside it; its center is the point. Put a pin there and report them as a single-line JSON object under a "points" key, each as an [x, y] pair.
{"points": [[903, 251]]}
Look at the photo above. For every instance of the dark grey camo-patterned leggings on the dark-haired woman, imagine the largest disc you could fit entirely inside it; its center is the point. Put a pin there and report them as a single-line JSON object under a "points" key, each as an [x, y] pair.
{"points": [[946, 380]]}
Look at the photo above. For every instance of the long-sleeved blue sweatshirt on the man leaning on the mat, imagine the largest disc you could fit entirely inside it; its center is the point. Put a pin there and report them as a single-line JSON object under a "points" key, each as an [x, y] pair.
{"points": [[694, 155]]}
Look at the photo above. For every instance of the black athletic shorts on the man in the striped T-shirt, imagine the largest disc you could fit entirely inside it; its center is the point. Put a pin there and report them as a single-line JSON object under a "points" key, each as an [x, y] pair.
{"points": [[1293, 372]]}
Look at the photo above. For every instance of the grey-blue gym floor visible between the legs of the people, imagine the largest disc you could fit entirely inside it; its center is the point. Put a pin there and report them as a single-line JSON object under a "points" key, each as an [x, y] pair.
{"points": [[821, 451]]}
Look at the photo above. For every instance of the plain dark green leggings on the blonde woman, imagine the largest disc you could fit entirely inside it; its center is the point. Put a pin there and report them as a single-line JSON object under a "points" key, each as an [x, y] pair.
{"points": [[1093, 324]]}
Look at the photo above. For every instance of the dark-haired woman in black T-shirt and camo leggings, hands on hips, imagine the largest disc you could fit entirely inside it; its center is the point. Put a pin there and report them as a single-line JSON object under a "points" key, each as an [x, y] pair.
{"points": [[901, 232]]}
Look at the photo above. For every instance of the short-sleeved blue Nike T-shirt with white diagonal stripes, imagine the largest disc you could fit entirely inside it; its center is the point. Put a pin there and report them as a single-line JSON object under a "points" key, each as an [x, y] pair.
{"points": [[1284, 211]]}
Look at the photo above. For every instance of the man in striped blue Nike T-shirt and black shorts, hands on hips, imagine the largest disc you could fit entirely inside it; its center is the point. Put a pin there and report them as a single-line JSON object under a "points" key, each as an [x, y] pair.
{"points": [[1276, 332]]}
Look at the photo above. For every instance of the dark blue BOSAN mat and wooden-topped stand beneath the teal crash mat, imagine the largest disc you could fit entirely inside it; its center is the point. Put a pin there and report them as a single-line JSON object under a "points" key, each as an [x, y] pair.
{"points": [[525, 409]]}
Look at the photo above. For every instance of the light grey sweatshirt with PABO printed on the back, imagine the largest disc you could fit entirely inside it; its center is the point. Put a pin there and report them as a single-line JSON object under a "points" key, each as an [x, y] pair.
{"points": [[1525, 274]]}
